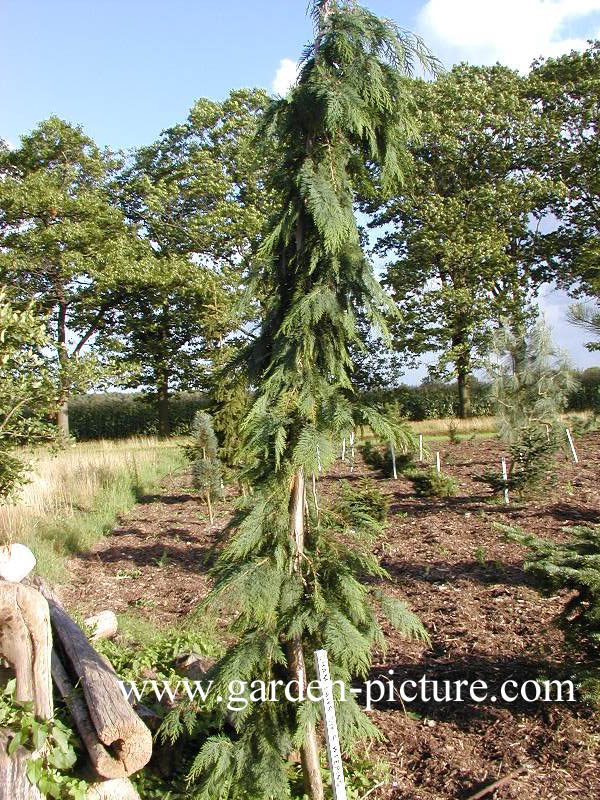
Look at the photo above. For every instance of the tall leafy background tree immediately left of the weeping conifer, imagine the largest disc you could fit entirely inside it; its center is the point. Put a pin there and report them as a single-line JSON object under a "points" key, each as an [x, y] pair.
{"points": [[195, 197]]}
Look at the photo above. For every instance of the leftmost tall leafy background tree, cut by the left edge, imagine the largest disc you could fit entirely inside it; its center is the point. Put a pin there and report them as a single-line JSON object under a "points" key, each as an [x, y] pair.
{"points": [[62, 244]]}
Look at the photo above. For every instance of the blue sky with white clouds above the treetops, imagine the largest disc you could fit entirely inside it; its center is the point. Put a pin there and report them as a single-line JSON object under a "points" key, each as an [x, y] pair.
{"points": [[126, 69]]}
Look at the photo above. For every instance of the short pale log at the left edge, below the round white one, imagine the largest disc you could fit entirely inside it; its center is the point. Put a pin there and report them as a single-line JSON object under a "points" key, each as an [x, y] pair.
{"points": [[26, 644]]}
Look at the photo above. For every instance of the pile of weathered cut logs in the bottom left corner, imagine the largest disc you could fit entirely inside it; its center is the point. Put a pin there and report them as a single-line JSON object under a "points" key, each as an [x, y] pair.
{"points": [[117, 741]]}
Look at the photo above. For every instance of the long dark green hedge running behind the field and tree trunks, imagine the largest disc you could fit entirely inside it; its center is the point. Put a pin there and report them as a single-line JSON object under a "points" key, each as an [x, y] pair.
{"points": [[118, 415]]}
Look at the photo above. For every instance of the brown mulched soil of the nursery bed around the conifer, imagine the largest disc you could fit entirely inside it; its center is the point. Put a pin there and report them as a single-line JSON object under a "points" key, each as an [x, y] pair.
{"points": [[466, 581]]}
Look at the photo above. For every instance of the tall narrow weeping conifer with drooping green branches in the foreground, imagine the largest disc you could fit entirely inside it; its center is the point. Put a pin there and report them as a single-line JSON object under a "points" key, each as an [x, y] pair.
{"points": [[292, 572]]}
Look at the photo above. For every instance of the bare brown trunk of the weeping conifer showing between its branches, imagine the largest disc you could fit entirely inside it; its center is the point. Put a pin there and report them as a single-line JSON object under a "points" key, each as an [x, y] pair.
{"points": [[309, 752]]}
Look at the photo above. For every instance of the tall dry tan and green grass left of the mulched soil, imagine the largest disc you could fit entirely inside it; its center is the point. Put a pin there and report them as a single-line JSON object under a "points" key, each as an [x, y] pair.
{"points": [[74, 496]]}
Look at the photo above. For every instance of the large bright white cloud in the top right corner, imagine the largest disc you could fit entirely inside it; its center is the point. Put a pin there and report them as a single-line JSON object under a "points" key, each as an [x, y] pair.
{"points": [[514, 32]]}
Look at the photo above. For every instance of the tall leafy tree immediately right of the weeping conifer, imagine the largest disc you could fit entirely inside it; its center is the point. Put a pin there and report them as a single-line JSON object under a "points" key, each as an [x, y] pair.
{"points": [[461, 233]]}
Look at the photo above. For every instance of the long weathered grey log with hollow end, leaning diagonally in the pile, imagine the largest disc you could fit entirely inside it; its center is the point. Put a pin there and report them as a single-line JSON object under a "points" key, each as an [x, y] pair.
{"points": [[116, 724]]}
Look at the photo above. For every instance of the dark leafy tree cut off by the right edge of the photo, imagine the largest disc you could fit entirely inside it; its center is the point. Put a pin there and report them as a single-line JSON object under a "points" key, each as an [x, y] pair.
{"points": [[566, 91]]}
